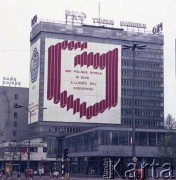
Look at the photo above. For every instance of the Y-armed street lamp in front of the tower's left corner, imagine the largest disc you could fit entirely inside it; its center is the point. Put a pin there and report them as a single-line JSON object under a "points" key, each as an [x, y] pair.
{"points": [[29, 140]]}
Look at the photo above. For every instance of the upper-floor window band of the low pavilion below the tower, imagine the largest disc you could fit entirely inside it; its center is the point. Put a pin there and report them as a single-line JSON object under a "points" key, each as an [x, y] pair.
{"points": [[90, 141]]}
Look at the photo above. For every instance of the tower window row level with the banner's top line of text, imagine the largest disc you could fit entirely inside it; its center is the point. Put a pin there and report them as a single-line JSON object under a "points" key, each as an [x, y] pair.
{"points": [[142, 73]]}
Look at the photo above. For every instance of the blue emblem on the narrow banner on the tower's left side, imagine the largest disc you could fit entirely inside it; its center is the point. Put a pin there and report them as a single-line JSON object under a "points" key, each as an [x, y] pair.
{"points": [[34, 65]]}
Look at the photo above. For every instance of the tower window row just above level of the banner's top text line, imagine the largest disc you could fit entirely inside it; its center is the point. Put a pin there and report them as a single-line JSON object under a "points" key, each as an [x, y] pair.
{"points": [[143, 64]]}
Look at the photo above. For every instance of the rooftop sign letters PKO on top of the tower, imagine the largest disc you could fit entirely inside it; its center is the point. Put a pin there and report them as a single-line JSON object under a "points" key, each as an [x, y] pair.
{"points": [[74, 15]]}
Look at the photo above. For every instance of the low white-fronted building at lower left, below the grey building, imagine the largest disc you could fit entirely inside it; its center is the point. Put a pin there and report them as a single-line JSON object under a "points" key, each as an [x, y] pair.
{"points": [[16, 153]]}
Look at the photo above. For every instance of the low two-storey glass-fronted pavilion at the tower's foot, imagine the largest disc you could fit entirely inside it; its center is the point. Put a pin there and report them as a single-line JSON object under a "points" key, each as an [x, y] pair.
{"points": [[91, 151]]}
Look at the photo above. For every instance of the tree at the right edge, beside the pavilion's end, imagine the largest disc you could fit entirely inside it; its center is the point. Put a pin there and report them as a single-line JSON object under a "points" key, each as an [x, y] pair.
{"points": [[167, 146]]}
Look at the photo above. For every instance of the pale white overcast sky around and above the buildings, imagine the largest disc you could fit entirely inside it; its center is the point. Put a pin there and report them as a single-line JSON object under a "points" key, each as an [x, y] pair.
{"points": [[15, 27]]}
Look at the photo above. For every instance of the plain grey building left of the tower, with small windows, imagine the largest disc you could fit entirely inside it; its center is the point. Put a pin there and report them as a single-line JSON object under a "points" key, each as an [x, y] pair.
{"points": [[13, 122]]}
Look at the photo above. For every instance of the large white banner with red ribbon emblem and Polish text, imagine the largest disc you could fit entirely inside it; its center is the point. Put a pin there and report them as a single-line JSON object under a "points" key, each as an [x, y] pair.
{"points": [[82, 82]]}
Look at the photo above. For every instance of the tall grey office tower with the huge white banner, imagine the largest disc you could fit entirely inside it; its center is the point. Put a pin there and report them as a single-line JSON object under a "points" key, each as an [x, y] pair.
{"points": [[83, 76]]}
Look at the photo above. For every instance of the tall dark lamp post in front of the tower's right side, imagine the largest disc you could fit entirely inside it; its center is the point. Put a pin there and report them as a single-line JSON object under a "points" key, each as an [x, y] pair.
{"points": [[133, 48]]}
